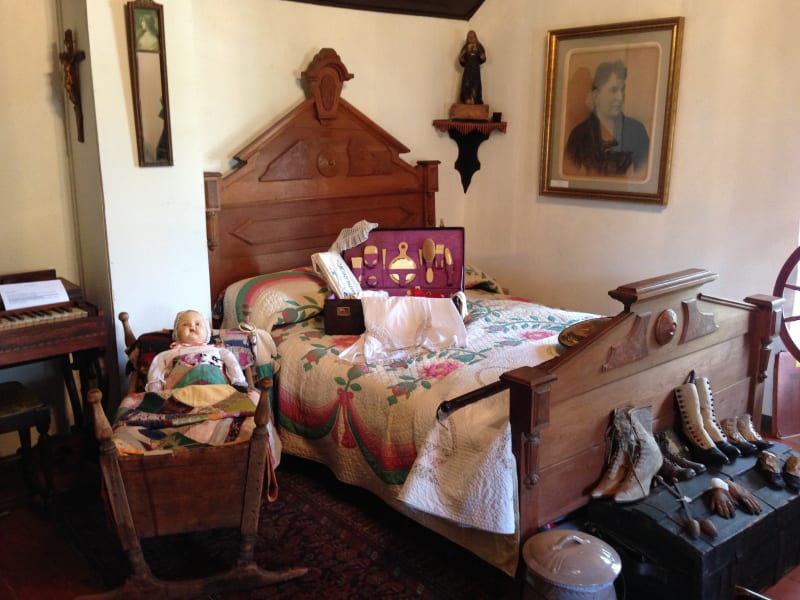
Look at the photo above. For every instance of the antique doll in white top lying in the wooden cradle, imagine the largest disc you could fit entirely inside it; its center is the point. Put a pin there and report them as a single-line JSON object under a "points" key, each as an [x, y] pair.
{"points": [[191, 351]]}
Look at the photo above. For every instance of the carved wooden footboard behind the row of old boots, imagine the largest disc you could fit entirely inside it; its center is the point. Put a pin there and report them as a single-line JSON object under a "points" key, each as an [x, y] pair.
{"points": [[560, 409]]}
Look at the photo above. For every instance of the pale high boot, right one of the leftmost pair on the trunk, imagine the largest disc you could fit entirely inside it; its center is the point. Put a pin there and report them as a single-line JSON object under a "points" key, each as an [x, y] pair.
{"points": [[646, 460]]}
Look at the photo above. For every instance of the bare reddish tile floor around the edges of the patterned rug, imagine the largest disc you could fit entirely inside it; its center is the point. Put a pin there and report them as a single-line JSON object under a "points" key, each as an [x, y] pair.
{"points": [[37, 562]]}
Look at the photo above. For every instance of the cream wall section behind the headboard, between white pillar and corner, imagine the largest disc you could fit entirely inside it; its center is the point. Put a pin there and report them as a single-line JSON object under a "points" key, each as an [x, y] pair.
{"points": [[405, 67]]}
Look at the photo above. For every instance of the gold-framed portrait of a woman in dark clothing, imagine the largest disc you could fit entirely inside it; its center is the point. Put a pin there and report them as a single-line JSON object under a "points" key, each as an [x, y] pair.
{"points": [[610, 100]]}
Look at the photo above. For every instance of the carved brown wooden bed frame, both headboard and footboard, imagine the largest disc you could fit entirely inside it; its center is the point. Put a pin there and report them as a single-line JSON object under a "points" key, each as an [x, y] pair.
{"points": [[325, 166]]}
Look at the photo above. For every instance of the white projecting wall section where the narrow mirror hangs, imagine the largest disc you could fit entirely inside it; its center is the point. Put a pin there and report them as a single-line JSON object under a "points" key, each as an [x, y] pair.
{"points": [[155, 216]]}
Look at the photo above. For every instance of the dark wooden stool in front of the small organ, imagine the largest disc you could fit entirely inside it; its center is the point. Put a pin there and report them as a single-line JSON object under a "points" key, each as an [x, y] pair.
{"points": [[20, 410]]}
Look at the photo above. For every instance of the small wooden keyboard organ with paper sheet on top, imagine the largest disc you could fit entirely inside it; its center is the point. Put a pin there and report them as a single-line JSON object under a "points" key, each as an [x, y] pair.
{"points": [[74, 329]]}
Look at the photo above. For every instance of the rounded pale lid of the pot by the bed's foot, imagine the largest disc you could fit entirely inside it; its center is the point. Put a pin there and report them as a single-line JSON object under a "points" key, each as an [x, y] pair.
{"points": [[569, 557]]}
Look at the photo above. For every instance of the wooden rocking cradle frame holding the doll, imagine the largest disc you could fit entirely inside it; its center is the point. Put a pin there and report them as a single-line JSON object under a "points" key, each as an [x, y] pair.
{"points": [[220, 487]]}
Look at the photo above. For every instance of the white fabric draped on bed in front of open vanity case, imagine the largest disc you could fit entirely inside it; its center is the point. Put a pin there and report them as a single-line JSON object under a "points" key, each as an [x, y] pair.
{"points": [[399, 327]]}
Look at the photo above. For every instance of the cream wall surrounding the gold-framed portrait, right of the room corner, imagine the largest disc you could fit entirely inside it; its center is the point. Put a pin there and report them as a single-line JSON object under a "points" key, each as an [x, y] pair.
{"points": [[733, 196]]}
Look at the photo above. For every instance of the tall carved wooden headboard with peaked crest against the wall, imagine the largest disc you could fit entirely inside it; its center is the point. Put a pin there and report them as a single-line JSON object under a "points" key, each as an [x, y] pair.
{"points": [[323, 167]]}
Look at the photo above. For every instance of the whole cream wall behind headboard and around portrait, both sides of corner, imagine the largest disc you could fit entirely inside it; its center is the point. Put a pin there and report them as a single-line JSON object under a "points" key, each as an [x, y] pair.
{"points": [[733, 148]]}
